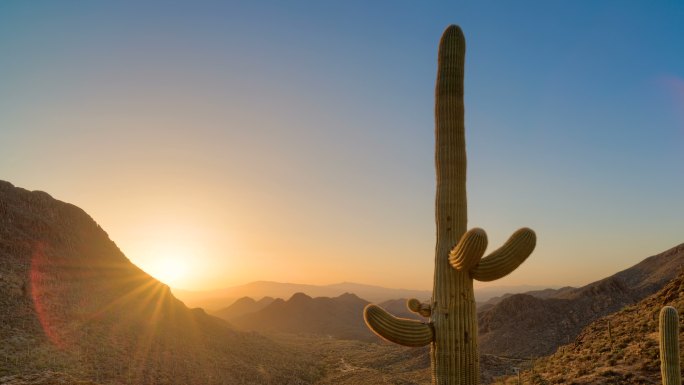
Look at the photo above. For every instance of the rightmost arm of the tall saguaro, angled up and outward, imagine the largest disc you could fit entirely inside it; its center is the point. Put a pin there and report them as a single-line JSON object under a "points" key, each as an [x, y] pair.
{"points": [[506, 258]]}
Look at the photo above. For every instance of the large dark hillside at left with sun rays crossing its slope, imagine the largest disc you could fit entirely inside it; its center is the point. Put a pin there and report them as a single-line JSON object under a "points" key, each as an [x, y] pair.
{"points": [[72, 303]]}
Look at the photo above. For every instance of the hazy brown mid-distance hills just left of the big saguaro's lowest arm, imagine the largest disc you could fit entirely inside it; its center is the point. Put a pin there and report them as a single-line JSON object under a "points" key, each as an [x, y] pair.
{"points": [[337, 317]]}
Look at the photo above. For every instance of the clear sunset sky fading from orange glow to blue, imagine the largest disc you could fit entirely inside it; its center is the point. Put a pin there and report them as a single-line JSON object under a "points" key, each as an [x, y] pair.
{"points": [[293, 140]]}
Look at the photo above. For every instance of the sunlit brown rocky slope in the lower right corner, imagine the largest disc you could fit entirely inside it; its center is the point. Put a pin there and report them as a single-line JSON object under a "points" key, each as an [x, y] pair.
{"points": [[627, 354]]}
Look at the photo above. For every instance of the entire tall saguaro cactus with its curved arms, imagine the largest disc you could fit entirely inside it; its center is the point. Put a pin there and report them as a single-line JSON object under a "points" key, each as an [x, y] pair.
{"points": [[452, 327]]}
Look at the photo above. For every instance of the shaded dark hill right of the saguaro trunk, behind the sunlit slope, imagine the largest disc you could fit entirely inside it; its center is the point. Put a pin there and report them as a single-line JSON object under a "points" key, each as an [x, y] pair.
{"points": [[523, 325]]}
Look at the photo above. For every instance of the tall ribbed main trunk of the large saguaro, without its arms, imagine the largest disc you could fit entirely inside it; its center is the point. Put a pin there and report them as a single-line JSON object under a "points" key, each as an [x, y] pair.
{"points": [[454, 351]]}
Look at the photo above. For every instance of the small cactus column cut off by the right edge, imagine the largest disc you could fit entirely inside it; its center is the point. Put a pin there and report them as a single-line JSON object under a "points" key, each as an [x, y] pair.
{"points": [[669, 346]]}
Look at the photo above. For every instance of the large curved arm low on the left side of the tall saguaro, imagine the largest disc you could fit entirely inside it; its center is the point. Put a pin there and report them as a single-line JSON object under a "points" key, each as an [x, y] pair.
{"points": [[398, 330]]}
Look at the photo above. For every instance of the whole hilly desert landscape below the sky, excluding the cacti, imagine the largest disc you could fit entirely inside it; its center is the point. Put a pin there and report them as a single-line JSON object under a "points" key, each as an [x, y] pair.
{"points": [[76, 310]]}
